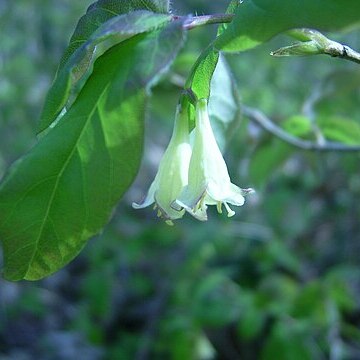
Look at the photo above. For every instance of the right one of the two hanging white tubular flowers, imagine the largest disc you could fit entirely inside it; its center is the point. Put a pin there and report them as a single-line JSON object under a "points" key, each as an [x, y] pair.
{"points": [[209, 181]]}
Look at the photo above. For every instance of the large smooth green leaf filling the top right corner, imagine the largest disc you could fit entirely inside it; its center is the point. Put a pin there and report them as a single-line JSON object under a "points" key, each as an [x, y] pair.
{"points": [[256, 21]]}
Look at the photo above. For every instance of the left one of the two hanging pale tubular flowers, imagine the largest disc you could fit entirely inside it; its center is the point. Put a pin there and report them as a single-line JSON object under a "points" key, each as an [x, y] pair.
{"points": [[172, 175]]}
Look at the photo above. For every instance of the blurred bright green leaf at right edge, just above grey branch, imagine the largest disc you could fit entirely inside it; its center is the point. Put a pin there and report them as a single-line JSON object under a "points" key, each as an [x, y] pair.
{"points": [[340, 129]]}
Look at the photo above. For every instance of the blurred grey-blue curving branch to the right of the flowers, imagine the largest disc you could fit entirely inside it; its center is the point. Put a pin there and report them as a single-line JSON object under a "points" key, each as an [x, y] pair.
{"points": [[261, 119]]}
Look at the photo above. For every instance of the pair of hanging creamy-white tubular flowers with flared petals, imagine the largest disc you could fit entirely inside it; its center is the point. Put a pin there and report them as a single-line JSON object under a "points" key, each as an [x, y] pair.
{"points": [[192, 177]]}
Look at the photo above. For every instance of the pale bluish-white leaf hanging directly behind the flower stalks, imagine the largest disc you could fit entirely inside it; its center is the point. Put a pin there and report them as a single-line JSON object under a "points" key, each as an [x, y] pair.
{"points": [[224, 108]]}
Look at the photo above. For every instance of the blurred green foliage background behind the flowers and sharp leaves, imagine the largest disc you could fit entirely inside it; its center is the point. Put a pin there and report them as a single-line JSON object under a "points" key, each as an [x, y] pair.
{"points": [[280, 280]]}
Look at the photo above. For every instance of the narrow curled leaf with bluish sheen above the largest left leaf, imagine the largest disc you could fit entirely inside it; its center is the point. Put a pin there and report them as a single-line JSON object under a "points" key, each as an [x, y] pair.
{"points": [[84, 49]]}
